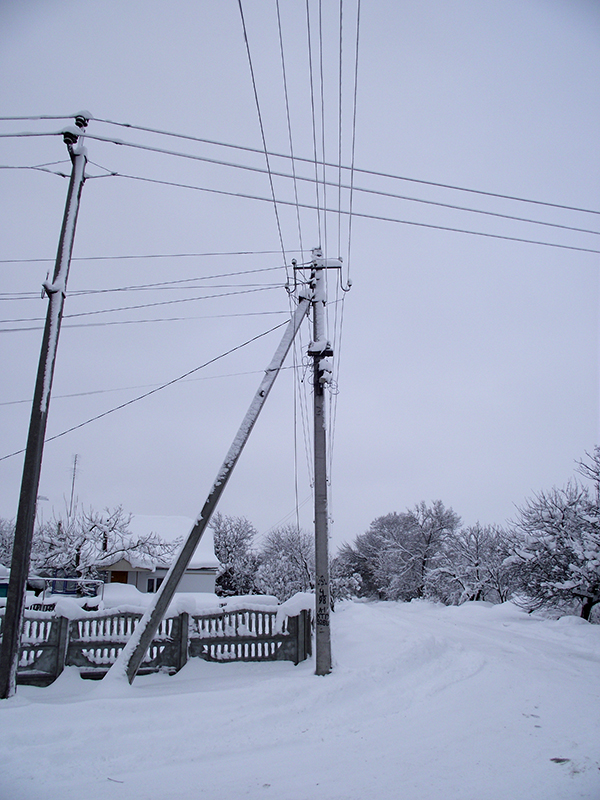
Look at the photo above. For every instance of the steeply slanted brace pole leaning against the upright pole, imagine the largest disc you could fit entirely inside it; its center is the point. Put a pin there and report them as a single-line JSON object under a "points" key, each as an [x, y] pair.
{"points": [[131, 656]]}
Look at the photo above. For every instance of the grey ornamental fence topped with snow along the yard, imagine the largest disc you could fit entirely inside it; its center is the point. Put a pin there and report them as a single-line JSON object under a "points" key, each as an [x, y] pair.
{"points": [[92, 643]]}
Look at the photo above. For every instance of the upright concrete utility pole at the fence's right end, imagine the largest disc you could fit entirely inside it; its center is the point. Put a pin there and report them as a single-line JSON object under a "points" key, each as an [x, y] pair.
{"points": [[321, 352]]}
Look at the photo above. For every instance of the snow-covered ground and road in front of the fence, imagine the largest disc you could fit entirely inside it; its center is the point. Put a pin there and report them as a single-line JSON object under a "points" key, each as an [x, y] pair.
{"points": [[426, 703]]}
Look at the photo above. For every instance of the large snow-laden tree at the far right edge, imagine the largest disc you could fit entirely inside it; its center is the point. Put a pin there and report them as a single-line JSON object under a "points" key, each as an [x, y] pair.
{"points": [[556, 549]]}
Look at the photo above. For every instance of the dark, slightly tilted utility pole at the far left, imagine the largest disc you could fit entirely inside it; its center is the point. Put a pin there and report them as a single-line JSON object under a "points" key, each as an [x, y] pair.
{"points": [[56, 291]]}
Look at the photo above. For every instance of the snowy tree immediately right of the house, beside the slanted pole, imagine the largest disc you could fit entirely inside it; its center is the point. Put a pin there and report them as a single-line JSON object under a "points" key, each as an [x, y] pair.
{"points": [[233, 538]]}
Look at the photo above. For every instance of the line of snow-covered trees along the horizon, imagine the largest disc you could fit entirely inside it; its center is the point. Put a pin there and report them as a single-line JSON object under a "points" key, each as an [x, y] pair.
{"points": [[547, 557]]}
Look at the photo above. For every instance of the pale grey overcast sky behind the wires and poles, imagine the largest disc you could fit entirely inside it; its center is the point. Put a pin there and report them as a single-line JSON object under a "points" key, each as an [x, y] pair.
{"points": [[466, 366]]}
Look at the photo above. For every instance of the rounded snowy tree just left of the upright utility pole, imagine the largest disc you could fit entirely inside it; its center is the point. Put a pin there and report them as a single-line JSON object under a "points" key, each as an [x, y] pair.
{"points": [[287, 563]]}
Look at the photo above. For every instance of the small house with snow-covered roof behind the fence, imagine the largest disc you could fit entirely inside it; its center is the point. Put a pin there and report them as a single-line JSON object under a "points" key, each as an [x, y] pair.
{"points": [[146, 572]]}
